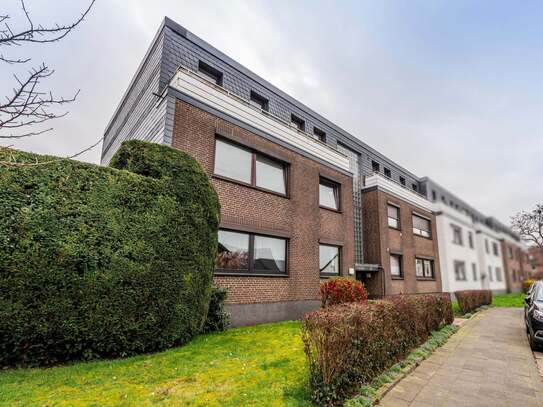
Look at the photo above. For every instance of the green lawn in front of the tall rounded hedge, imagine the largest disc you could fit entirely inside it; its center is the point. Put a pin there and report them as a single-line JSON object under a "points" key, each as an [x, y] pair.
{"points": [[258, 365]]}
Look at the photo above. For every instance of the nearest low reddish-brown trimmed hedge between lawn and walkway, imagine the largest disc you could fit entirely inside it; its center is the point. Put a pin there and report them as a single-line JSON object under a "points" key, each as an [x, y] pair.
{"points": [[348, 345]]}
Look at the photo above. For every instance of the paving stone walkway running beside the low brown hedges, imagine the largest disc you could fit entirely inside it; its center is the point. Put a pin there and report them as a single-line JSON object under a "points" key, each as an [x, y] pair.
{"points": [[488, 362]]}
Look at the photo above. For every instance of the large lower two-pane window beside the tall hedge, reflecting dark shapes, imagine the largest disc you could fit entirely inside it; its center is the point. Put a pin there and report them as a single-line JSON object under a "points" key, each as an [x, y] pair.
{"points": [[251, 254]]}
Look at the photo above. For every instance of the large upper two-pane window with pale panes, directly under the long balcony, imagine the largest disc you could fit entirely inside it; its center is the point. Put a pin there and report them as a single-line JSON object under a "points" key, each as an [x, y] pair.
{"points": [[241, 164]]}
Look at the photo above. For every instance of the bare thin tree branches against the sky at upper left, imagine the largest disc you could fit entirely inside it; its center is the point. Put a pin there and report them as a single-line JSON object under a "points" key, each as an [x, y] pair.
{"points": [[29, 106]]}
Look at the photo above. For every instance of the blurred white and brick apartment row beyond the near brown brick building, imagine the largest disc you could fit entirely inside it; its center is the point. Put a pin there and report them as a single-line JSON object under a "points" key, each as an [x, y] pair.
{"points": [[476, 251]]}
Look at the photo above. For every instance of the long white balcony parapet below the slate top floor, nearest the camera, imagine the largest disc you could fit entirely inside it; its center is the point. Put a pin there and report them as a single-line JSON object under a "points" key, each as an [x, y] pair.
{"points": [[220, 99]]}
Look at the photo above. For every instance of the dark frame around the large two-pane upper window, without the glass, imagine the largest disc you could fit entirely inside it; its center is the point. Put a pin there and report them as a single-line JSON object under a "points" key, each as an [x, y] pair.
{"points": [[254, 154]]}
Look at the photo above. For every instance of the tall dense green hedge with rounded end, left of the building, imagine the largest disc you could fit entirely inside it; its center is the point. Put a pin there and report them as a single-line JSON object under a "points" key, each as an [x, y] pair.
{"points": [[103, 262]]}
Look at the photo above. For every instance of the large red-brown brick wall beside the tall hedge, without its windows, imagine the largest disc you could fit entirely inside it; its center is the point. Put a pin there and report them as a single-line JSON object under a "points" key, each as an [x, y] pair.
{"points": [[299, 216]]}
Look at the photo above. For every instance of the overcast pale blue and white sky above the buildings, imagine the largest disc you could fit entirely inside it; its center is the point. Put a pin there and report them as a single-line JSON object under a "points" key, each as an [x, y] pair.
{"points": [[452, 90]]}
